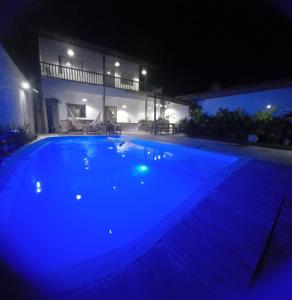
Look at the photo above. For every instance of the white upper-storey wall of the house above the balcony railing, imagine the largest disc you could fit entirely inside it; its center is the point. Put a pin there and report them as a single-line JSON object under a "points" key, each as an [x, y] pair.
{"points": [[51, 50]]}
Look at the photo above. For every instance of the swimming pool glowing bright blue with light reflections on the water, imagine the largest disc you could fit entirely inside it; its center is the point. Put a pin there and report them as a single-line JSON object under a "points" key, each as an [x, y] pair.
{"points": [[65, 200]]}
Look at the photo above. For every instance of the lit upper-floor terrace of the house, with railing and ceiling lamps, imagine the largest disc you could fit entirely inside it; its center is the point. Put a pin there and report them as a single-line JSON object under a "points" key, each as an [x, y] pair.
{"points": [[70, 59]]}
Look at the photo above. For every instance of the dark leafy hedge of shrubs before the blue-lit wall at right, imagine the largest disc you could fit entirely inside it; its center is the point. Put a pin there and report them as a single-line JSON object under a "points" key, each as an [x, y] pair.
{"points": [[238, 125]]}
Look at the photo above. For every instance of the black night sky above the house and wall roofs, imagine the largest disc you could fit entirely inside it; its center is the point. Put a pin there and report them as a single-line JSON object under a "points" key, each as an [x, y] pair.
{"points": [[192, 44]]}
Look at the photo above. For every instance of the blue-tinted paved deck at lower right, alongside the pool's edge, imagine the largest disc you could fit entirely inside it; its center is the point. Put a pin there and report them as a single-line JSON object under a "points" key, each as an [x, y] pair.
{"points": [[214, 250]]}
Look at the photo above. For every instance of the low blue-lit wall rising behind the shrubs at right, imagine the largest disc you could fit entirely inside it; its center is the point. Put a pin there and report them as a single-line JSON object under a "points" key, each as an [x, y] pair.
{"points": [[281, 99]]}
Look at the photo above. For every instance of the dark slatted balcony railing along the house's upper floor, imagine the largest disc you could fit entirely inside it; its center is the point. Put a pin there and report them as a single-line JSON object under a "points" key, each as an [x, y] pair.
{"points": [[77, 75]]}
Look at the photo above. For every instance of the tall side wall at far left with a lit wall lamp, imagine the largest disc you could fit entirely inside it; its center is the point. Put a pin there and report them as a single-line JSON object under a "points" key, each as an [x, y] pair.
{"points": [[16, 104]]}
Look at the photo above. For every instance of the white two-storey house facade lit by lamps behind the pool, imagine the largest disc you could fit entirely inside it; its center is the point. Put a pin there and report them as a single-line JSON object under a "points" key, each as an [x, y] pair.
{"points": [[94, 82]]}
